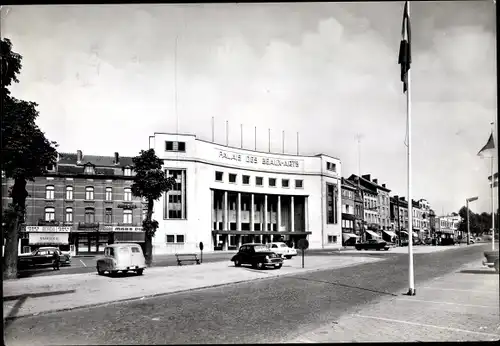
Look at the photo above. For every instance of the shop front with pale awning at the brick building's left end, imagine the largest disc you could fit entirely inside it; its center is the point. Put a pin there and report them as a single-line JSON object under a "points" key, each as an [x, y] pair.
{"points": [[40, 236]]}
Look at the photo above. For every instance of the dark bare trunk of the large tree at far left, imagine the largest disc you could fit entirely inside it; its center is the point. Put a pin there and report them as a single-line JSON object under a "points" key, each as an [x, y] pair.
{"points": [[19, 195]]}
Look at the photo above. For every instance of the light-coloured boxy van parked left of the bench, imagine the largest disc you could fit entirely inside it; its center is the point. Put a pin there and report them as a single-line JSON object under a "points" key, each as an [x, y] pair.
{"points": [[122, 257]]}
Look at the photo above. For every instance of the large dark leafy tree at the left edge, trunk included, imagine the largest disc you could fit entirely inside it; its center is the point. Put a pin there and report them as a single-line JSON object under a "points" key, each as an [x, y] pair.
{"points": [[26, 153]]}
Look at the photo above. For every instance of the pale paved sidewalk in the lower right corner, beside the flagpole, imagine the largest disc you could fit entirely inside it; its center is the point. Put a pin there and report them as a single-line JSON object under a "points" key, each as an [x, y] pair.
{"points": [[461, 306]]}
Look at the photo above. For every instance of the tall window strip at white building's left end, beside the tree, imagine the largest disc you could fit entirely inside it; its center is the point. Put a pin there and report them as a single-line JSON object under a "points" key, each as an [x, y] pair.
{"points": [[175, 199]]}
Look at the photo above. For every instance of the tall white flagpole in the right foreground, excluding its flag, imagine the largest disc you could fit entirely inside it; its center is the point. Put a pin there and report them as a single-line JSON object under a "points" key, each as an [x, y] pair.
{"points": [[411, 278]]}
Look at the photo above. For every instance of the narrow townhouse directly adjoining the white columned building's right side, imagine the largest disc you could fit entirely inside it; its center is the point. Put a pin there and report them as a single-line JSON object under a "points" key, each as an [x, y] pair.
{"points": [[348, 212]]}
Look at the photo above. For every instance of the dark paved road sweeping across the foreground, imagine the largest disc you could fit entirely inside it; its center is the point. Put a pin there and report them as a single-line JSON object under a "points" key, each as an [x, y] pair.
{"points": [[271, 311]]}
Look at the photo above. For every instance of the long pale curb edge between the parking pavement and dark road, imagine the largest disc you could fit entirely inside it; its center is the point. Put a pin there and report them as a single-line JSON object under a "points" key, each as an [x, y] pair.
{"points": [[175, 292]]}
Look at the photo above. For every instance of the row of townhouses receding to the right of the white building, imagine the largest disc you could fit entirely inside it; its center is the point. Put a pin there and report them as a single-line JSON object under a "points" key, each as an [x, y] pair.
{"points": [[368, 211]]}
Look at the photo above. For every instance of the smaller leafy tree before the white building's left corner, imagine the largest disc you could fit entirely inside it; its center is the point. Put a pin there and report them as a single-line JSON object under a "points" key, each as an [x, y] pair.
{"points": [[150, 182]]}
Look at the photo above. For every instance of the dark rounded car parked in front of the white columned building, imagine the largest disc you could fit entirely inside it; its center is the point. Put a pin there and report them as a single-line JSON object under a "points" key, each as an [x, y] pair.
{"points": [[257, 255]]}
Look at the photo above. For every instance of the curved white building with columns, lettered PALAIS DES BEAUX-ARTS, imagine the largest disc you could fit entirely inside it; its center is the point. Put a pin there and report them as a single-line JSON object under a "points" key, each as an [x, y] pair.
{"points": [[228, 196]]}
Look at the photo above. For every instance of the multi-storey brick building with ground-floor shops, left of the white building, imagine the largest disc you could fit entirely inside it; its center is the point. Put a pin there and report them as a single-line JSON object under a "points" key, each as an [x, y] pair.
{"points": [[82, 204]]}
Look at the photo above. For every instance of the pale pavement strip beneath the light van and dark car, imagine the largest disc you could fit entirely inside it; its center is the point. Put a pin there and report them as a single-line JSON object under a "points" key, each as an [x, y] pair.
{"points": [[32, 296]]}
